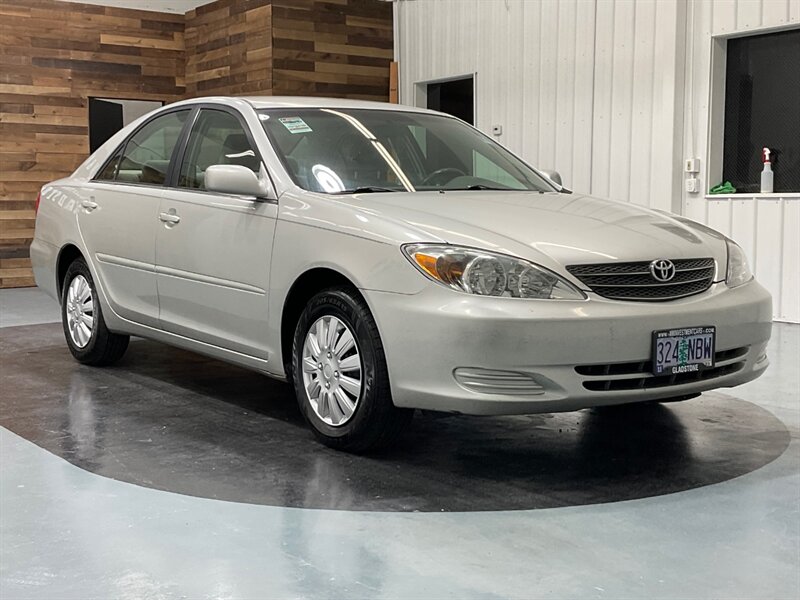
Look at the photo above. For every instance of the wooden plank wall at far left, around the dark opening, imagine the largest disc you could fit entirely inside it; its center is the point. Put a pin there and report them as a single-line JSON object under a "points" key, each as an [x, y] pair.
{"points": [[53, 57]]}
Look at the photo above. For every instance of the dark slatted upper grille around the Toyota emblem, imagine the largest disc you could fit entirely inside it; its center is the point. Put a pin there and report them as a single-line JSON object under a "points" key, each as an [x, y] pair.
{"points": [[633, 281]]}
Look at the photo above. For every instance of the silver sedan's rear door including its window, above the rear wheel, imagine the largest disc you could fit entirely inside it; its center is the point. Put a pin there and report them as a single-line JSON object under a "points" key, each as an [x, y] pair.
{"points": [[118, 217]]}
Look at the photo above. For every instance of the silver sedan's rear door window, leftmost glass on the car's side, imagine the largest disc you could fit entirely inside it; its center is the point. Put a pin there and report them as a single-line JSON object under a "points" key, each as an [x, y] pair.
{"points": [[145, 156]]}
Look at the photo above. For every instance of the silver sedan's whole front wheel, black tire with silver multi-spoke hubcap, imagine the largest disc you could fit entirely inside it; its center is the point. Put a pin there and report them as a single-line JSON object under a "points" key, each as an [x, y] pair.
{"points": [[338, 416]]}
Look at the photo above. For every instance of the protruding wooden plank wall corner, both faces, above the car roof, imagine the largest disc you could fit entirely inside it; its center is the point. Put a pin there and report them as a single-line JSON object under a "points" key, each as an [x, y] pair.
{"points": [[290, 47]]}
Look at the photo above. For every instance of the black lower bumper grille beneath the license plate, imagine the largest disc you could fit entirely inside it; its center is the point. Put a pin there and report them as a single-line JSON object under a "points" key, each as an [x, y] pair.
{"points": [[638, 375]]}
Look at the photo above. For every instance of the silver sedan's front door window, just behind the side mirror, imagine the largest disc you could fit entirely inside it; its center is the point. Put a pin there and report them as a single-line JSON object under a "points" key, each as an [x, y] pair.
{"points": [[217, 138]]}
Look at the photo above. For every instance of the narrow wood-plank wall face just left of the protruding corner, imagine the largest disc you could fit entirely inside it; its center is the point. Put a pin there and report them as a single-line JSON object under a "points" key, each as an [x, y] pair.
{"points": [[229, 48]]}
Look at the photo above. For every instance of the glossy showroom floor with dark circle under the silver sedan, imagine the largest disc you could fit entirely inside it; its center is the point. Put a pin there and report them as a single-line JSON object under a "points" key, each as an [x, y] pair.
{"points": [[173, 476]]}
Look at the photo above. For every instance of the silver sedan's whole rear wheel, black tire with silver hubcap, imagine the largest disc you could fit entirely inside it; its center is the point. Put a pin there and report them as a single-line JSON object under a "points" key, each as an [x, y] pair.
{"points": [[88, 338]]}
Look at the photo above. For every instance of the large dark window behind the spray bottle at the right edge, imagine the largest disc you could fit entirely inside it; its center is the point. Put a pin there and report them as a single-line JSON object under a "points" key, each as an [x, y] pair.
{"points": [[762, 109]]}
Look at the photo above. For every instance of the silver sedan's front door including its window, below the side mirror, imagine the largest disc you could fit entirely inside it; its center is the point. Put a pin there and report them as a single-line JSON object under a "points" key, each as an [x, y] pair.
{"points": [[213, 250]]}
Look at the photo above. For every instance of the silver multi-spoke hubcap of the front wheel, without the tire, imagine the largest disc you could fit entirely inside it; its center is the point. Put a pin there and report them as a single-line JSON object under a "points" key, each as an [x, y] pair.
{"points": [[332, 370]]}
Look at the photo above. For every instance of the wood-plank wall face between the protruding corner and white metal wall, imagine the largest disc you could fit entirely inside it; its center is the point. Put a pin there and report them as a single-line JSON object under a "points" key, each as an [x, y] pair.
{"points": [[338, 48]]}
